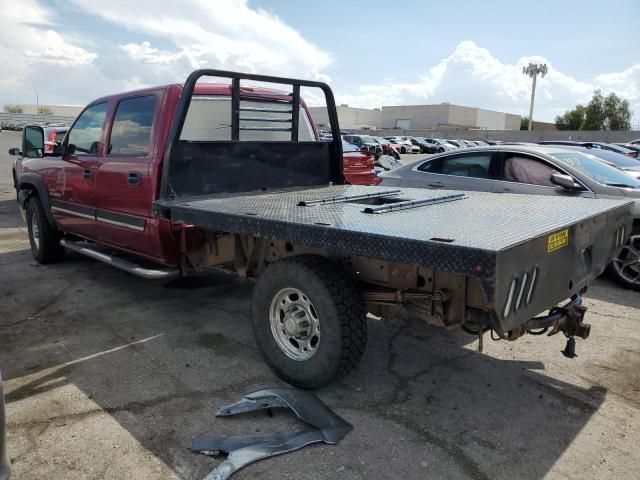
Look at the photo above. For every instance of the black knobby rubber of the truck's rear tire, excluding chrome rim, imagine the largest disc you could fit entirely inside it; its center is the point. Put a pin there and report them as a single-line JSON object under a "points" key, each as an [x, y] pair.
{"points": [[340, 311]]}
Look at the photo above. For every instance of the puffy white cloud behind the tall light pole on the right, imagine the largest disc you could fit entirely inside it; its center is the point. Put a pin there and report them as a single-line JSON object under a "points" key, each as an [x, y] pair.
{"points": [[471, 75]]}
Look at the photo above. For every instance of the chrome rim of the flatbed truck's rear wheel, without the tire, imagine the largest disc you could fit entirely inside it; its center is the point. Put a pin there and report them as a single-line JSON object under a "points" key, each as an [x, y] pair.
{"points": [[295, 325]]}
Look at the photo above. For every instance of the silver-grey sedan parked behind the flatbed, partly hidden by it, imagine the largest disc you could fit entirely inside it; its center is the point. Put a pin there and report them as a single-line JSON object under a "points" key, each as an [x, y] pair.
{"points": [[536, 170]]}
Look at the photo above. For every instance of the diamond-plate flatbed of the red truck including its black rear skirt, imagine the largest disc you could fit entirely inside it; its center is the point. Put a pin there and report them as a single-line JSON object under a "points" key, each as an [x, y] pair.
{"points": [[473, 234]]}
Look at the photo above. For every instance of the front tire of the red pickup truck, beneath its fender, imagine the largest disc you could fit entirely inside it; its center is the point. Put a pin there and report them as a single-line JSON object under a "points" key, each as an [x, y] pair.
{"points": [[48, 248]]}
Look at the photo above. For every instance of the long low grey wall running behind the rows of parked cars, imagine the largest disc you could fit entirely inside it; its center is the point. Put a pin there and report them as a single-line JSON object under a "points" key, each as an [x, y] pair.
{"points": [[519, 135]]}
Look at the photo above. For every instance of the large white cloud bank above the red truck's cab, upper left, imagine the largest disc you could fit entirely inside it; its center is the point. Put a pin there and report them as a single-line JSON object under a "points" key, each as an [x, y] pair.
{"points": [[227, 34]]}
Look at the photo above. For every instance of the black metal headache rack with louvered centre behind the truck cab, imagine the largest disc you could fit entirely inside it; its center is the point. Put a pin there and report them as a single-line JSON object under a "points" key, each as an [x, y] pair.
{"points": [[194, 168]]}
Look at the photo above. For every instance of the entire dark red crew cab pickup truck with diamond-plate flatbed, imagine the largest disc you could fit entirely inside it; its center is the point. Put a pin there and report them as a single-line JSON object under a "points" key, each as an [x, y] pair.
{"points": [[171, 180]]}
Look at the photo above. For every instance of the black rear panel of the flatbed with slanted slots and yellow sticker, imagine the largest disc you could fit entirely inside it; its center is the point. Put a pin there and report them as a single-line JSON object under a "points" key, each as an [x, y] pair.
{"points": [[538, 274]]}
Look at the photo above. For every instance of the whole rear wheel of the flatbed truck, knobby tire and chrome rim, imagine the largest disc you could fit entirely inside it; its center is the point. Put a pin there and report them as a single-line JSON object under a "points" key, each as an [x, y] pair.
{"points": [[308, 321]]}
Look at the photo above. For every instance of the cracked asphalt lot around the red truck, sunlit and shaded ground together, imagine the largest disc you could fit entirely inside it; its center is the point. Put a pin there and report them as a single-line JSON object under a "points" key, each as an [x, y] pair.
{"points": [[109, 376]]}
